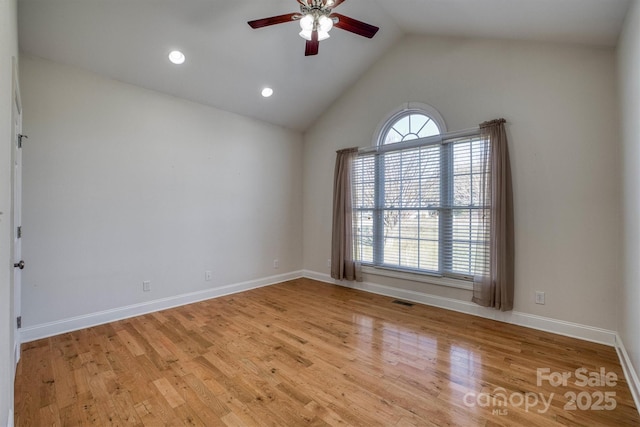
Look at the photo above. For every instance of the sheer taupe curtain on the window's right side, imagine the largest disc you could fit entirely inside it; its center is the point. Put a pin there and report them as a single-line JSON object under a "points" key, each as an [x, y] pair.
{"points": [[494, 287]]}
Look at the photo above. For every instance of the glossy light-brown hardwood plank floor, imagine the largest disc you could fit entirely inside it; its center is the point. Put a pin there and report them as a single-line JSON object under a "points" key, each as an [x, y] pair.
{"points": [[303, 353]]}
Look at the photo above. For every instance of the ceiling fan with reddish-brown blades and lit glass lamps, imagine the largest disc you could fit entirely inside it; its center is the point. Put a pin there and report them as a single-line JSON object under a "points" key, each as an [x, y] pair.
{"points": [[316, 20]]}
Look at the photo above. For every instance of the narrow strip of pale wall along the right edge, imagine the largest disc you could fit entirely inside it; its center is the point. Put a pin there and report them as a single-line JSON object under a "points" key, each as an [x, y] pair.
{"points": [[629, 66]]}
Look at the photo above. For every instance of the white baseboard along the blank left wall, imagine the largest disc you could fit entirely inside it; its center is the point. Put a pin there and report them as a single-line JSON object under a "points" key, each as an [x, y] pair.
{"points": [[35, 332]]}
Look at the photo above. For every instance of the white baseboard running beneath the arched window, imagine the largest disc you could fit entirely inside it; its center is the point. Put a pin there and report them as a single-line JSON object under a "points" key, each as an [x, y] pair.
{"points": [[574, 330]]}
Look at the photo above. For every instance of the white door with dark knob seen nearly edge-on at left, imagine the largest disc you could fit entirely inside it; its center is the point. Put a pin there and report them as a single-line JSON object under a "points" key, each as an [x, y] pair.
{"points": [[17, 214]]}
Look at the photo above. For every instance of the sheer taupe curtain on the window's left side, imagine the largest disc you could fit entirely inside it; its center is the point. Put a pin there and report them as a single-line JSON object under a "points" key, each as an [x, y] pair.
{"points": [[343, 264]]}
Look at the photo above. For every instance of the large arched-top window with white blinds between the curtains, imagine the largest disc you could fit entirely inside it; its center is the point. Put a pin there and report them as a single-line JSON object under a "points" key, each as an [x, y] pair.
{"points": [[416, 202]]}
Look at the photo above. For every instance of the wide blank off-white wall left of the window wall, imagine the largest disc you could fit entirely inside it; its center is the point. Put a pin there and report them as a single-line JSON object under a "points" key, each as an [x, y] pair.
{"points": [[123, 185]]}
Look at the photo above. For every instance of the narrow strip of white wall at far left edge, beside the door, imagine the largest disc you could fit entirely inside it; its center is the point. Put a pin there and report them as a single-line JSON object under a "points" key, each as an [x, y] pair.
{"points": [[8, 50]]}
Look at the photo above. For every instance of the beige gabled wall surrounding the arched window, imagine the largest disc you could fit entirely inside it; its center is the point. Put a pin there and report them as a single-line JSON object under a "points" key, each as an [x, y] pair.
{"points": [[561, 107]]}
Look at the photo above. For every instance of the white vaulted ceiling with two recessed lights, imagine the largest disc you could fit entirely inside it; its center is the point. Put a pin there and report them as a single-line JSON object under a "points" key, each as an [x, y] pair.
{"points": [[228, 63]]}
